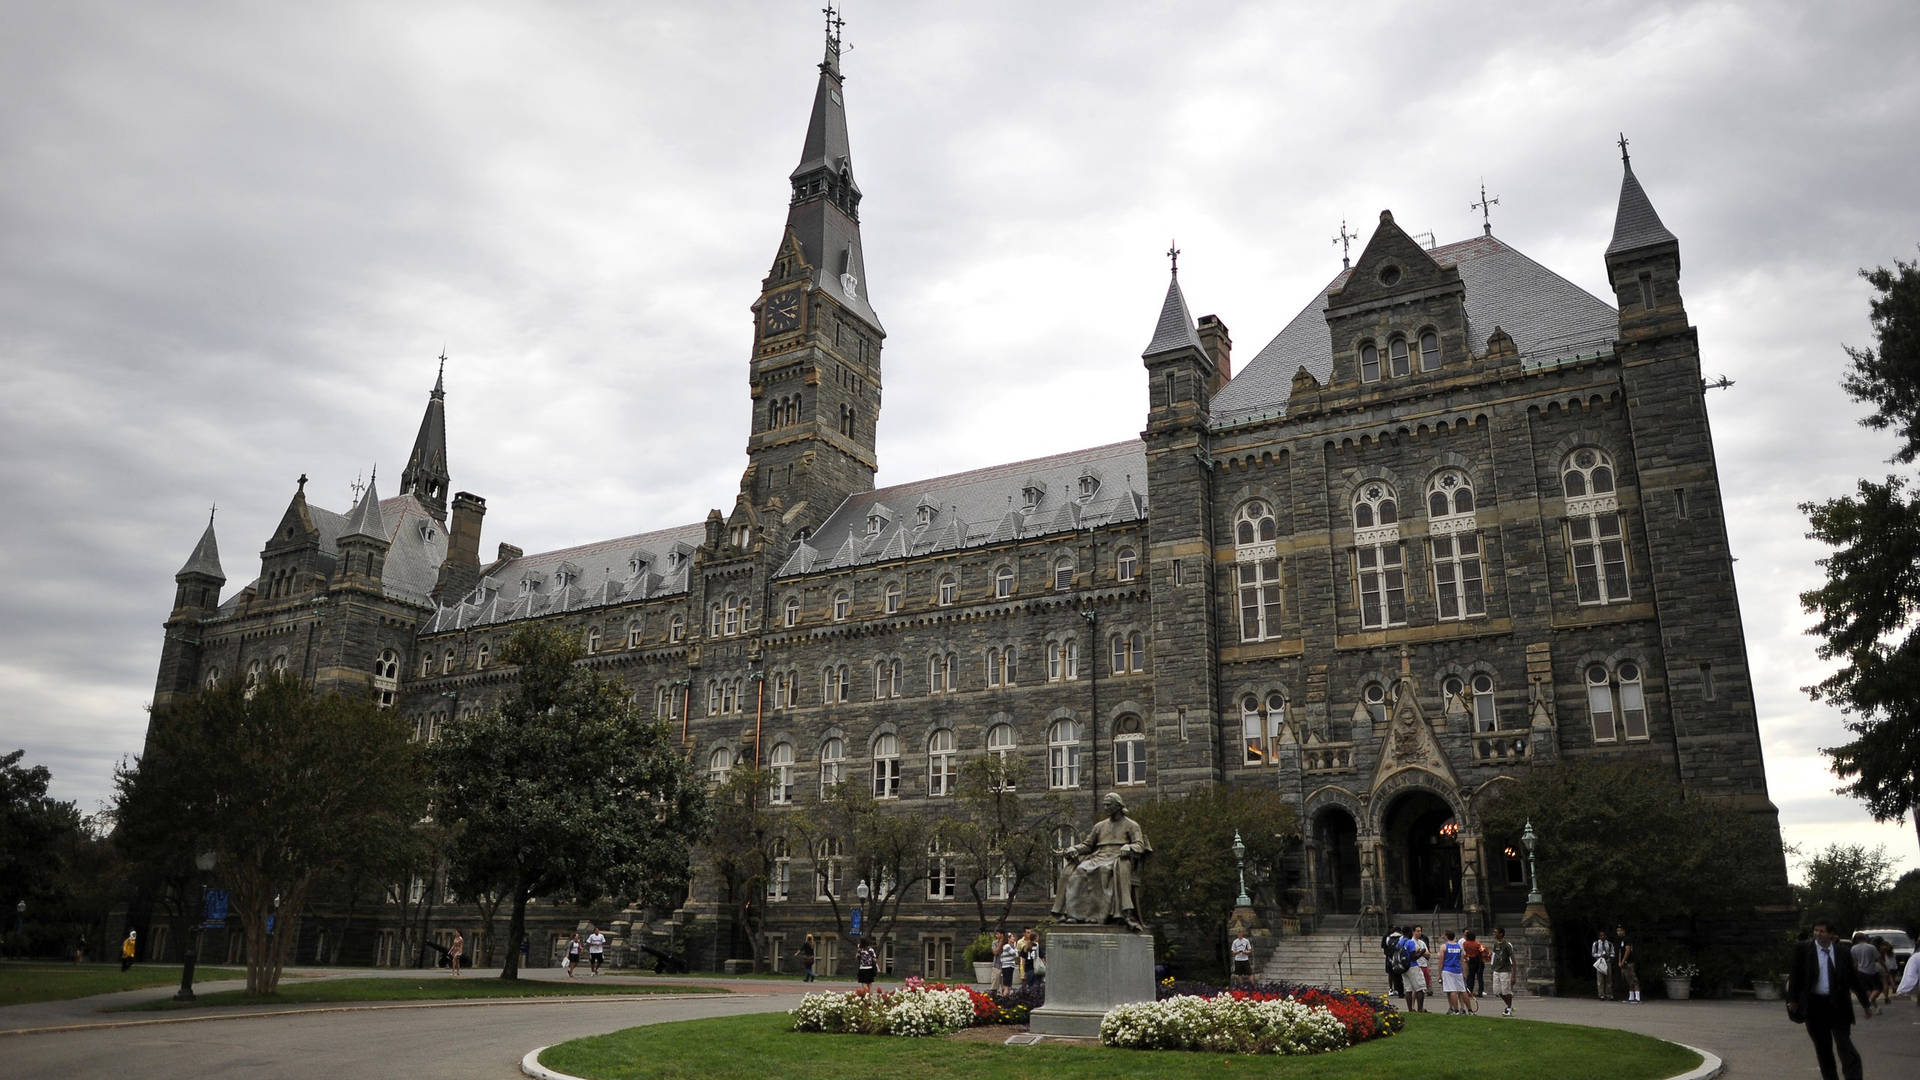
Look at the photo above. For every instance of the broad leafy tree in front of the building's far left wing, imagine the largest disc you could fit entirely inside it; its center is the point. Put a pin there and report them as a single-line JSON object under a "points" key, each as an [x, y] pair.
{"points": [[285, 787]]}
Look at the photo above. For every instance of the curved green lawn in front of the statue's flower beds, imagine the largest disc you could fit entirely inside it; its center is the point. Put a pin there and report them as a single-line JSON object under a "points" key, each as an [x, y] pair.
{"points": [[1433, 1048]]}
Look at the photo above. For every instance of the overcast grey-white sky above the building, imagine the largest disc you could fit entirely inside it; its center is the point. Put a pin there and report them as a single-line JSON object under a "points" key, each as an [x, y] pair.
{"points": [[235, 237]]}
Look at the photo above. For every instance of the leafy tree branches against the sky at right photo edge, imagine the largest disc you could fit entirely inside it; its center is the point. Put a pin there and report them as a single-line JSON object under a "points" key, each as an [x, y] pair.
{"points": [[1873, 579]]}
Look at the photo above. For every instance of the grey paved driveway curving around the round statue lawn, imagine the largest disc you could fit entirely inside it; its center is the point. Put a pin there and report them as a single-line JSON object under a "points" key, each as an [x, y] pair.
{"points": [[487, 1039]]}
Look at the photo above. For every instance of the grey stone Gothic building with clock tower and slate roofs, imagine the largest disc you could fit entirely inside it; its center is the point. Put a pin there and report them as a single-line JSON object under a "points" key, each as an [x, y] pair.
{"points": [[1456, 522]]}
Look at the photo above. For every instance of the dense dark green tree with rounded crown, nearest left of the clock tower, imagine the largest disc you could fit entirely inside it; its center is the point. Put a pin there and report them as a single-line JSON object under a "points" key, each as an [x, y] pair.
{"points": [[565, 789]]}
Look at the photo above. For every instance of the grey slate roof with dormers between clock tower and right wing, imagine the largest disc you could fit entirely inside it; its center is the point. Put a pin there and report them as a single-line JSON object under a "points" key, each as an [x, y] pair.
{"points": [[986, 506]]}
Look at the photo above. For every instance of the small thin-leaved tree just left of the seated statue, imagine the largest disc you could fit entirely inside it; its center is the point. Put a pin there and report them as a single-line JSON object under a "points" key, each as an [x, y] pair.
{"points": [[1005, 839]]}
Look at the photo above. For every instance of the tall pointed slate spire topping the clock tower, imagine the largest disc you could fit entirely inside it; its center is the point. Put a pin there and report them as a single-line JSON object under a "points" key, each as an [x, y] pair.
{"points": [[825, 214]]}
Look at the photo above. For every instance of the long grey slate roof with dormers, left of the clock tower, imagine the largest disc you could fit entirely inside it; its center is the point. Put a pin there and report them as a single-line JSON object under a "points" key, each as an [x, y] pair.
{"points": [[596, 576]]}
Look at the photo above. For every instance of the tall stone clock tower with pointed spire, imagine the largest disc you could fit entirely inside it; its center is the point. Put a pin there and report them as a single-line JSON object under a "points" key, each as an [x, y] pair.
{"points": [[815, 370]]}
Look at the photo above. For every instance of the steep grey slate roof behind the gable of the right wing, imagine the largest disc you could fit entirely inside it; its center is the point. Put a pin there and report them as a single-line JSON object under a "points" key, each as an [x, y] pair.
{"points": [[1548, 318]]}
